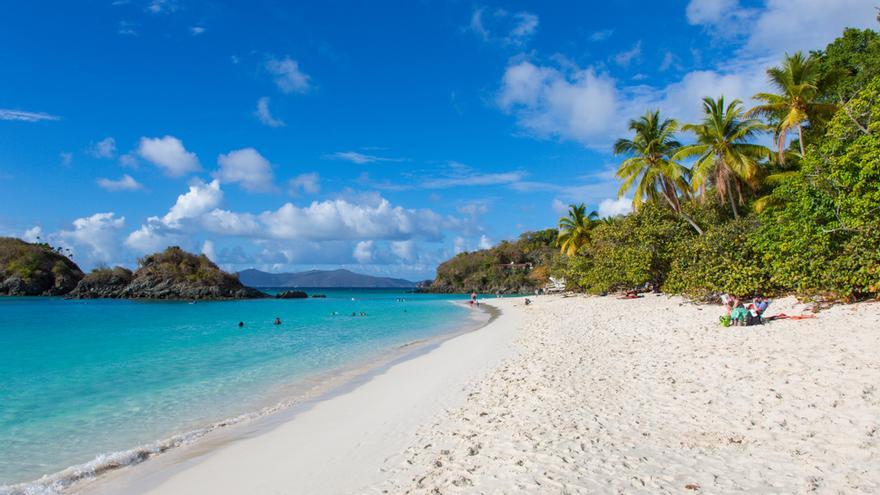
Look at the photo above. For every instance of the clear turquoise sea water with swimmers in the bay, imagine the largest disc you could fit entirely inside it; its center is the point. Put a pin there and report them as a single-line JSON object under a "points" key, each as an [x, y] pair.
{"points": [[83, 378]]}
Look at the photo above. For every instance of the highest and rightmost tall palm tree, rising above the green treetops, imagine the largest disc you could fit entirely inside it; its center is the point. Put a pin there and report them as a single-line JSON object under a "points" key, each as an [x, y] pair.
{"points": [[797, 82]]}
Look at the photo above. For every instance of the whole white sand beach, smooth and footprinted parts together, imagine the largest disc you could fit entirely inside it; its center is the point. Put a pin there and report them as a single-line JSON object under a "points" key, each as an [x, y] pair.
{"points": [[584, 395]]}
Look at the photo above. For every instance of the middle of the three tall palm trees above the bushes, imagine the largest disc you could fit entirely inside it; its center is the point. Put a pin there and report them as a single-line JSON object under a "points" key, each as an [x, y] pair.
{"points": [[725, 157]]}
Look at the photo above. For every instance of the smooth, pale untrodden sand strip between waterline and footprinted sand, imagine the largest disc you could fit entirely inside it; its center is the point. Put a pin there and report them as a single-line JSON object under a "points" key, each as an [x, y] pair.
{"points": [[401, 378]]}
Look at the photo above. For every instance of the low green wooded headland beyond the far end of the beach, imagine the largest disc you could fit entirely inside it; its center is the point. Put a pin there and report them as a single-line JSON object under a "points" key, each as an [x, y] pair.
{"points": [[510, 267]]}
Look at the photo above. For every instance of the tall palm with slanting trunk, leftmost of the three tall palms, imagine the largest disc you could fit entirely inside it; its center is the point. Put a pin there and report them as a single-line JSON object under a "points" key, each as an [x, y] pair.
{"points": [[650, 168]]}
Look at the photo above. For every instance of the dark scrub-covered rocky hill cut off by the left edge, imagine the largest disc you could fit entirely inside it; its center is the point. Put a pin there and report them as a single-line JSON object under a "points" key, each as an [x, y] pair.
{"points": [[35, 269]]}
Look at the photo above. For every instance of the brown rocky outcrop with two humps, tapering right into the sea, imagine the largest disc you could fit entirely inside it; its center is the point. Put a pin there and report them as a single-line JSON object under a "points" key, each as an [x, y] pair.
{"points": [[171, 274]]}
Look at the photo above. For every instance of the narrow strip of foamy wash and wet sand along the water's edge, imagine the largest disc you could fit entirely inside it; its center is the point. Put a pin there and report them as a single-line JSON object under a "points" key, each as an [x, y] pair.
{"points": [[281, 398]]}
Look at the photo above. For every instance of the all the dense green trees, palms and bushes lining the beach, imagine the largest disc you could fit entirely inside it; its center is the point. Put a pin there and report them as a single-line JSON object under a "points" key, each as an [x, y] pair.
{"points": [[715, 211]]}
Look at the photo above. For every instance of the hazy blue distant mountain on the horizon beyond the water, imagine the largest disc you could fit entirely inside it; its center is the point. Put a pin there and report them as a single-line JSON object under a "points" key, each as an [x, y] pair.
{"points": [[320, 279]]}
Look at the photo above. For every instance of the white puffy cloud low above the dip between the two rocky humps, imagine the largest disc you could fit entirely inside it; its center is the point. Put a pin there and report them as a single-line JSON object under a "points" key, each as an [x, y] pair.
{"points": [[97, 234]]}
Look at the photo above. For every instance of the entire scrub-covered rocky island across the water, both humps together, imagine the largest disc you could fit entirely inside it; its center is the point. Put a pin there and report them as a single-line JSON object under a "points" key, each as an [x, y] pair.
{"points": [[37, 269]]}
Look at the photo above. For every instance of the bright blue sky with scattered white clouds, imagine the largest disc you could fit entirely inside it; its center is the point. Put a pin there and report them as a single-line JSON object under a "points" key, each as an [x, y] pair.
{"points": [[383, 137]]}
